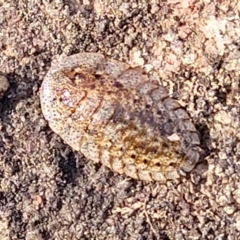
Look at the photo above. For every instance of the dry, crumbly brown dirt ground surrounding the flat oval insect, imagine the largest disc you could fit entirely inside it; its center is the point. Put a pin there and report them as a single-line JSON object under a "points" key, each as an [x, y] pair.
{"points": [[48, 191]]}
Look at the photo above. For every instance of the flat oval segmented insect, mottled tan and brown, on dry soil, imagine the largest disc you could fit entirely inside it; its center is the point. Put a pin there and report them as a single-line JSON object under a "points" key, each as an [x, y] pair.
{"points": [[113, 114]]}
